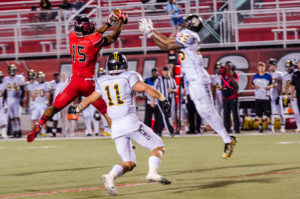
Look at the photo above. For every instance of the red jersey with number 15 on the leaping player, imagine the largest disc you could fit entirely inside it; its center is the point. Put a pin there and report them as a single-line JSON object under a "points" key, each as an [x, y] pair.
{"points": [[84, 51]]}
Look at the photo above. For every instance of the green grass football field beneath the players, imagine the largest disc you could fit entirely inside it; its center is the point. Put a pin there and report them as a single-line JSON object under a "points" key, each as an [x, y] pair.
{"points": [[261, 167]]}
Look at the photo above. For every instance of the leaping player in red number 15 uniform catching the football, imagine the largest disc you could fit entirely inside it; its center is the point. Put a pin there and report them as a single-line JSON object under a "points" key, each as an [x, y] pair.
{"points": [[85, 44]]}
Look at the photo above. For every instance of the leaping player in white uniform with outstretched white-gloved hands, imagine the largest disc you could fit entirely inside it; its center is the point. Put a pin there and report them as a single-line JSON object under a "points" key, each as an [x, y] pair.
{"points": [[188, 41]]}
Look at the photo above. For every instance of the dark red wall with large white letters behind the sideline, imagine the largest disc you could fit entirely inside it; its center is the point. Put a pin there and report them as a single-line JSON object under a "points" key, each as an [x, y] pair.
{"points": [[245, 61]]}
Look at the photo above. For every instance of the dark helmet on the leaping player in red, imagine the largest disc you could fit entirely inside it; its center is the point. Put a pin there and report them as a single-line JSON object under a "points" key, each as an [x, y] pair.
{"points": [[83, 26]]}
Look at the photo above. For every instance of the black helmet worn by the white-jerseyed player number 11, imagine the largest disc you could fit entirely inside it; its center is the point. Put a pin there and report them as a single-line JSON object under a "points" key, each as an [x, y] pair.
{"points": [[116, 63]]}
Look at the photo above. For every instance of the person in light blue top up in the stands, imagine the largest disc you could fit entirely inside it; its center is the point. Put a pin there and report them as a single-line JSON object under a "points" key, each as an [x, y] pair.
{"points": [[173, 10]]}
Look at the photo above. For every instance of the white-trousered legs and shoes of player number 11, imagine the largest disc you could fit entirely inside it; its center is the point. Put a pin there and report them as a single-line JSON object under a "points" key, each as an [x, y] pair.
{"points": [[146, 138]]}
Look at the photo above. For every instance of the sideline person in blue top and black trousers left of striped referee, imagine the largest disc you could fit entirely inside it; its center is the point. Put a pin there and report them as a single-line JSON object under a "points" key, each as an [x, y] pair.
{"points": [[150, 105]]}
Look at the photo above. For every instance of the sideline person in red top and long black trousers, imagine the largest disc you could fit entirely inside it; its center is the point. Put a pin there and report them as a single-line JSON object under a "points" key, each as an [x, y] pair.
{"points": [[229, 83]]}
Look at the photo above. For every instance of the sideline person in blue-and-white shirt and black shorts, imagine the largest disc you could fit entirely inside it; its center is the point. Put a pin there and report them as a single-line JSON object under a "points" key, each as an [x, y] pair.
{"points": [[262, 82]]}
